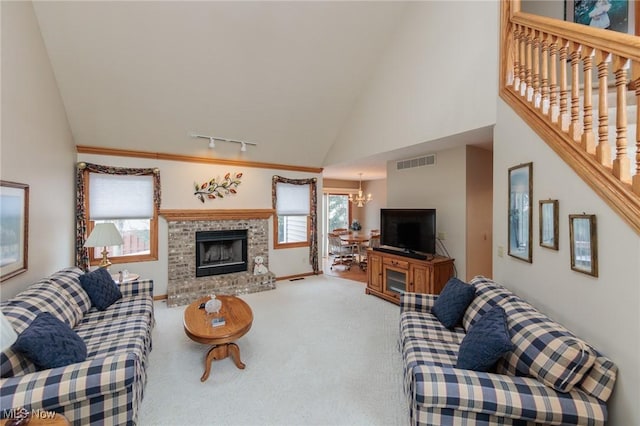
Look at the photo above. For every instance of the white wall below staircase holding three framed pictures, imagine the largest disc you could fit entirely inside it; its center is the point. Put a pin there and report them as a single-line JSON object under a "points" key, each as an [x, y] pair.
{"points": [[605, 311]]}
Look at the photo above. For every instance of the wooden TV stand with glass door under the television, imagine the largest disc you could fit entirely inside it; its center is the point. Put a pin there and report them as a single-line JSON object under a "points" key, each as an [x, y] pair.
{"points": [[390, 275]]}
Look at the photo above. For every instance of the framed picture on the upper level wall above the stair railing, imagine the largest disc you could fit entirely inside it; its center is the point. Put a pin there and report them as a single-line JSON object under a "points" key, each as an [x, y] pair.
{"points": [[615, 15]]}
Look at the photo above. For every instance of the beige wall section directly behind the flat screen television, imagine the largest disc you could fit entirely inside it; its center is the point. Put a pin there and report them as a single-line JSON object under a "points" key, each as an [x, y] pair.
{"points": [[442, 187]]}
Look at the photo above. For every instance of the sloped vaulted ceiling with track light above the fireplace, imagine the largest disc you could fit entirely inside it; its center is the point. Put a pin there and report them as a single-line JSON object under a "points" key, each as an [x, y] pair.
{"points": [[145, 75]]}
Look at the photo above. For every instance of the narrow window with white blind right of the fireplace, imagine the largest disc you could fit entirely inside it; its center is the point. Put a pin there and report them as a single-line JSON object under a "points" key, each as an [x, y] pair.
{"points": [[292, 215]]}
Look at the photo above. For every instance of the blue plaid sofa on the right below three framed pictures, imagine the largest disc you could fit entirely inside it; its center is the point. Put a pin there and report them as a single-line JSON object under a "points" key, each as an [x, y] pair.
{"points": [[551, 377]]}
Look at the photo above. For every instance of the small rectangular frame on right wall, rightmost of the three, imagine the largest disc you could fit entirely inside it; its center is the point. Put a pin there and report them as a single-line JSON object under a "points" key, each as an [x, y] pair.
{"points": [[584, 243]]}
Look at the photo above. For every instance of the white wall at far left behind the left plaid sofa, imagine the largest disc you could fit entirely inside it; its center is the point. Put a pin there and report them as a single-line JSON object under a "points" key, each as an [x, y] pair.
{"points": [[37, 146]]}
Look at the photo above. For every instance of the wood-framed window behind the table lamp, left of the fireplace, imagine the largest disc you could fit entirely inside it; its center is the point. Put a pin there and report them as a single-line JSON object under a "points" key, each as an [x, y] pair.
{"points": [[128, 202]]}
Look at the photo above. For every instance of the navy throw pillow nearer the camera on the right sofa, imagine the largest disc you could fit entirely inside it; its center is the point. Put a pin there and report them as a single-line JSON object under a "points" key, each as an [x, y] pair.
{"points": [[487, 340]]}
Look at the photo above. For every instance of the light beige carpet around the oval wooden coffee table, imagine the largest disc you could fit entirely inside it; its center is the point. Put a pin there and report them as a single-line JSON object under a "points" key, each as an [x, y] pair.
{"points": [[320, 352]]}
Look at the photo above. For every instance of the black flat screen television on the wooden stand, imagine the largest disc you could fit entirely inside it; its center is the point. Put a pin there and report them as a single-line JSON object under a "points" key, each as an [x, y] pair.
{"points": [[411, 230]]}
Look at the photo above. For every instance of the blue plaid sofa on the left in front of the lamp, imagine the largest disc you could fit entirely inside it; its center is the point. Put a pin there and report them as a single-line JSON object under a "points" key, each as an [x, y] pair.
{"points": [[106, 388]]}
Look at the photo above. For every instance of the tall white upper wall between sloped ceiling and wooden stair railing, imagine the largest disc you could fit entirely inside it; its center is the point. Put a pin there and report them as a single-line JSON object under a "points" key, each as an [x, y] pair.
{"points": [[426, 85]]}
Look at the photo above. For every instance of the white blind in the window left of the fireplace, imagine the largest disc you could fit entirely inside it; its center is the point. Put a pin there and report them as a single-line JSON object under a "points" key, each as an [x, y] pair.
{"points": [[120, 196]]}
